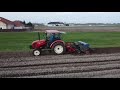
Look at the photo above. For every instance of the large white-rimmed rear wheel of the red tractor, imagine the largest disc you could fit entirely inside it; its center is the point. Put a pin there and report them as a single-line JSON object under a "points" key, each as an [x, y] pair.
{"points": [[58, 48]]}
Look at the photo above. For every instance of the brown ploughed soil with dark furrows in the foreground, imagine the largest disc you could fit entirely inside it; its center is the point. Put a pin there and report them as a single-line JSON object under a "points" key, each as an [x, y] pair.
{"points": [[100, 64]]}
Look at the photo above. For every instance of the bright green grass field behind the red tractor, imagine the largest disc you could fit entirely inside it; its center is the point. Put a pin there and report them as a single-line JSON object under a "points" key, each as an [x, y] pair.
{"points": [[19, 41]]}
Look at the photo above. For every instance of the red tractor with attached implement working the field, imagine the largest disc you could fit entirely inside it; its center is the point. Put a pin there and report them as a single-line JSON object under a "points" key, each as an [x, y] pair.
{"points": [[57, 46]]}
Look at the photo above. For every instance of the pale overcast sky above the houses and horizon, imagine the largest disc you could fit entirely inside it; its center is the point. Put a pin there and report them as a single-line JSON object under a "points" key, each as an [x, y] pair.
{"points": [[68, 17]]}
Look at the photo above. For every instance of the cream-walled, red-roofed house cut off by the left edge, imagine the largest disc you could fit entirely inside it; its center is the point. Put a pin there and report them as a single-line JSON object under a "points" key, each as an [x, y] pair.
{"points": [[6, 24]]}
